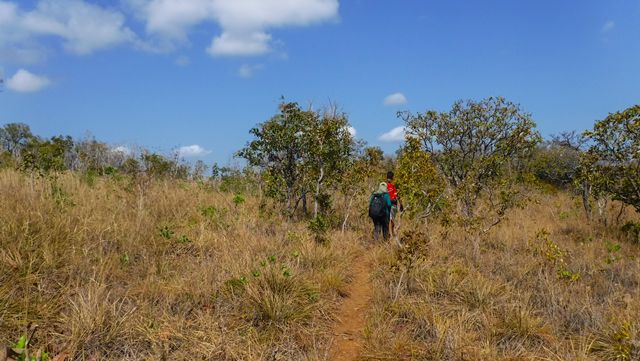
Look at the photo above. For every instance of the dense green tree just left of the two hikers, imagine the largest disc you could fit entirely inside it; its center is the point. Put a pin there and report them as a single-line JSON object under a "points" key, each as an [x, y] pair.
{"points": [[301, 152]]}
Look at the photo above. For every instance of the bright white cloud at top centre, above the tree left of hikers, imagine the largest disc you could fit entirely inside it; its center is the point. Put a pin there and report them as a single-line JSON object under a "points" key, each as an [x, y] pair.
{"points": [[244, 23]]}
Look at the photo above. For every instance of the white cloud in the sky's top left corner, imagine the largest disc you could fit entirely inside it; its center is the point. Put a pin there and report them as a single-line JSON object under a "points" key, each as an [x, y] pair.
{"points": [[83, 27]]}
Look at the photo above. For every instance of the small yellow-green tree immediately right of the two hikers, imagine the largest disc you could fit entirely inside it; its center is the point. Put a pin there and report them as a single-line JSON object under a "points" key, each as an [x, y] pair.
{"points": [[421, 184]]}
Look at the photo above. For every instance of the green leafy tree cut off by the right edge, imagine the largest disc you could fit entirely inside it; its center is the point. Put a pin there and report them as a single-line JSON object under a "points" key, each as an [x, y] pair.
{"points": [[613, 160]]}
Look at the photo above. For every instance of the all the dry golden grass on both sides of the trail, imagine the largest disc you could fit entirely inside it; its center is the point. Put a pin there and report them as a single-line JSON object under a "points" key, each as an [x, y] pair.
{"points": [[176, 270]]}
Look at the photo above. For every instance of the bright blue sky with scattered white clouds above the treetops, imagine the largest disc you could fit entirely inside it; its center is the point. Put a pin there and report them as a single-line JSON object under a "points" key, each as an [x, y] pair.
{"points": [[164, 74]]}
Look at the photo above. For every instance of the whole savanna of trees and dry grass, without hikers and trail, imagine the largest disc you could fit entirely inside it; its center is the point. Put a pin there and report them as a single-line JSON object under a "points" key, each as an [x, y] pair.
{"points": [[510, 247]]}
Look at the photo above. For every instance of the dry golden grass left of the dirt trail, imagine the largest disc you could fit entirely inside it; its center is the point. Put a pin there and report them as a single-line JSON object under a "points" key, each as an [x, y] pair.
{"points": [[162, 270]]}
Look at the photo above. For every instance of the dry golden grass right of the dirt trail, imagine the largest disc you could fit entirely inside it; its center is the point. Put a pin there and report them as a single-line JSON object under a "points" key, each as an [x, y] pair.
{"points": [[564, 294]]}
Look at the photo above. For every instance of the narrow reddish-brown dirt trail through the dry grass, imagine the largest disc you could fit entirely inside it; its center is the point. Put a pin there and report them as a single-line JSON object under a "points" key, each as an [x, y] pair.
{"points": [[348, 341]]}
